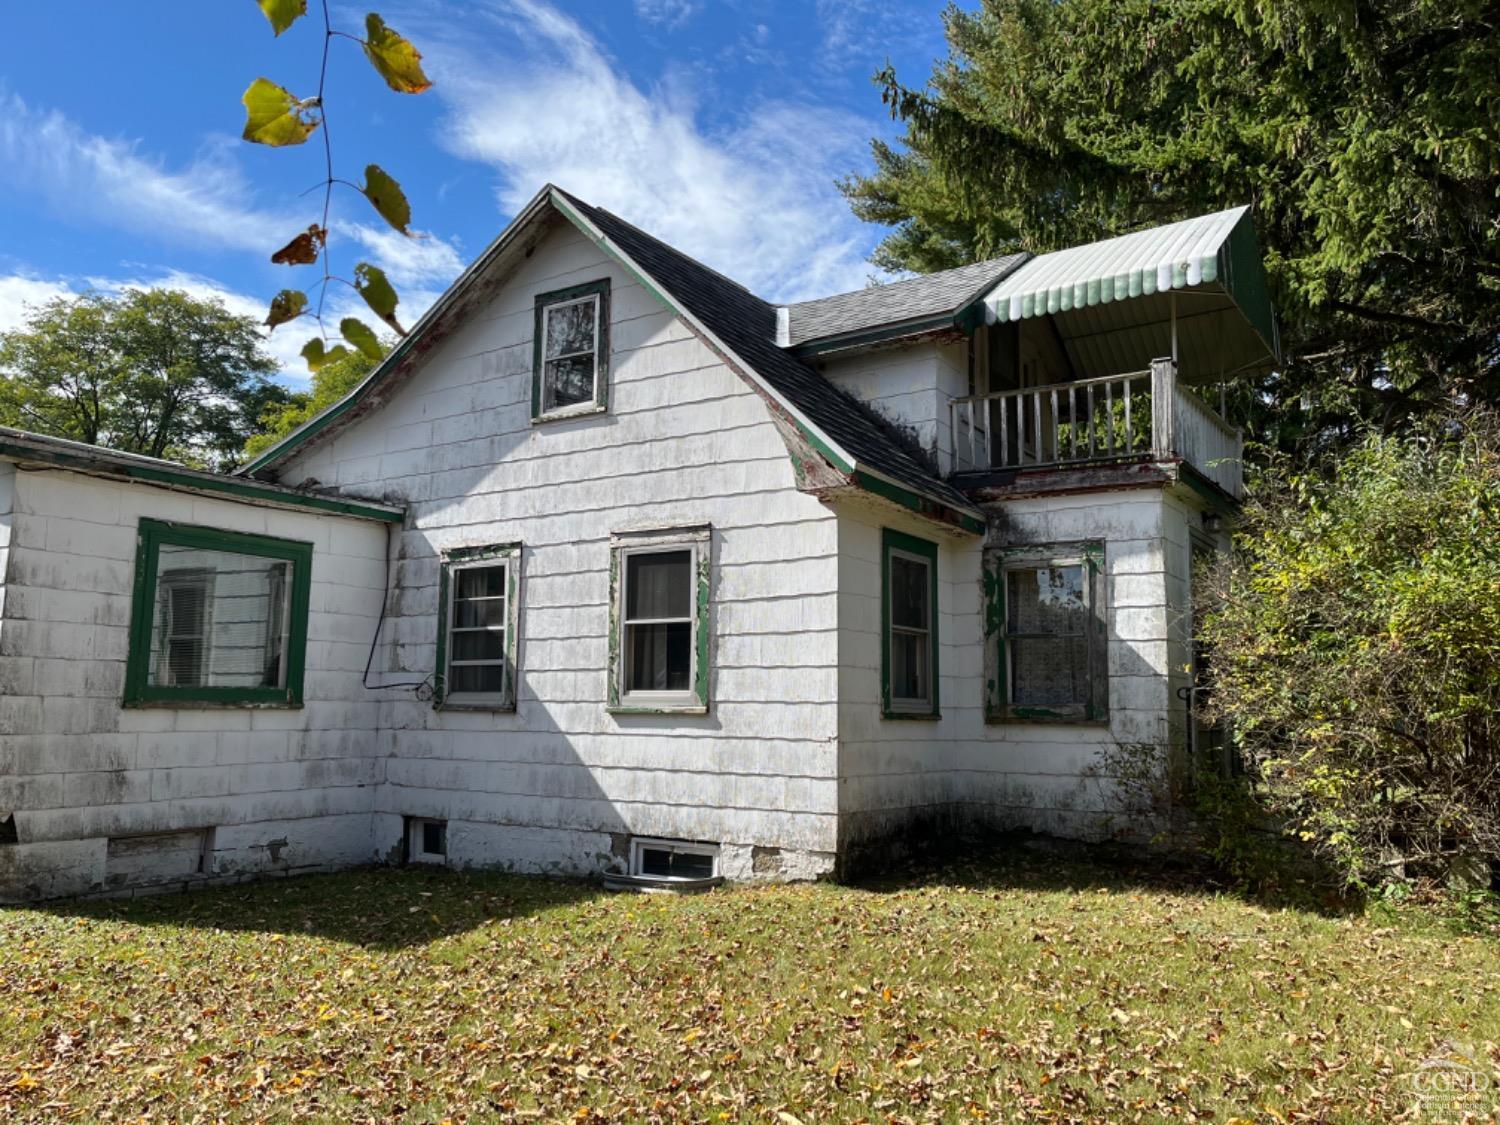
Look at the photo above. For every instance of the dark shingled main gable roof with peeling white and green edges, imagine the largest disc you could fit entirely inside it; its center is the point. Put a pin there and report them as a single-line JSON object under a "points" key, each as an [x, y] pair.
{"points": [[734, 322]]}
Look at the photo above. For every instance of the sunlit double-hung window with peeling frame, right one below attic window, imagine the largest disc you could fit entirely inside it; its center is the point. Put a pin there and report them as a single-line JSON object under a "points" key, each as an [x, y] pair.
{"points": [[659, 622]]}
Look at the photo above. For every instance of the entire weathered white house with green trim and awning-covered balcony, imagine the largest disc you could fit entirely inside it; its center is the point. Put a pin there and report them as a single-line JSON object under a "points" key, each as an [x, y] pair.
{"points": [[616, 568]]}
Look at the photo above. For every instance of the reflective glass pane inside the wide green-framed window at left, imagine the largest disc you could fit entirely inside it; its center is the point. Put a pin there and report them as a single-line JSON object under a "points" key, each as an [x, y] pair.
{"points": [[221, 620]]}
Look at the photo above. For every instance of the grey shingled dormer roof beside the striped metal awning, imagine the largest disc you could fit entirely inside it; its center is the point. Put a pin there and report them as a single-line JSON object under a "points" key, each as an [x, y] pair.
{"points": [[907, 307]]}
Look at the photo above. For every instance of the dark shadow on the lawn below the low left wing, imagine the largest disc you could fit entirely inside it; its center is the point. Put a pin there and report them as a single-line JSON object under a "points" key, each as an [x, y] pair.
{"points": [[386, 908]]}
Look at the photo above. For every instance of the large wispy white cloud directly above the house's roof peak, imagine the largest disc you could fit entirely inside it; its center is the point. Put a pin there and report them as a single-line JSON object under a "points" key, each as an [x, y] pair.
{"points": [[755, 202]]}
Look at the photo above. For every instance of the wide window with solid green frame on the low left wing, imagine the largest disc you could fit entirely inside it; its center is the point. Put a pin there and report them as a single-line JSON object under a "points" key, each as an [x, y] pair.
{"points": [[217, 619]]}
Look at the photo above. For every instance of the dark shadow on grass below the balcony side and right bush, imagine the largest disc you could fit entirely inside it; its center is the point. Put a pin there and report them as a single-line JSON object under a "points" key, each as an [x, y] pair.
{"points": [[1022, 862]]}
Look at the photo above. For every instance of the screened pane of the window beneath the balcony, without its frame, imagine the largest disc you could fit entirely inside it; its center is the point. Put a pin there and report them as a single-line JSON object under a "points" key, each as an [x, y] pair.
{"points": [[1048, 626]]}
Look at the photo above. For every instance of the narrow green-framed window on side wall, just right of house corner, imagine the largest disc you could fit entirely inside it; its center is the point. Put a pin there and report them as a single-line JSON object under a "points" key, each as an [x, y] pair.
{"points": [[908, 626]]}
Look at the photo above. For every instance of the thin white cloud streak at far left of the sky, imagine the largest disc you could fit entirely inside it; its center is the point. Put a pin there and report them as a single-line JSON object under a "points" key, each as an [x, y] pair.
{"points": [[112, 181]]}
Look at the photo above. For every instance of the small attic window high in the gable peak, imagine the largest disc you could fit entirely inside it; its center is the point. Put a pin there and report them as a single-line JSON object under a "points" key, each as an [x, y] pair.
{"points": [[571, 362]]}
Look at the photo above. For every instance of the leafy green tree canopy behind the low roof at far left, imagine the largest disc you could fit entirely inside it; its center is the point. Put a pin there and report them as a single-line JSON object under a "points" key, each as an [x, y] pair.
{"points": [[149, 371]]}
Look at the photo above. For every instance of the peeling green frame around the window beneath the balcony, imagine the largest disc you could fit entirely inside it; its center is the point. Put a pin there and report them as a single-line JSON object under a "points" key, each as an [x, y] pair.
{"points": [[998, 707]]}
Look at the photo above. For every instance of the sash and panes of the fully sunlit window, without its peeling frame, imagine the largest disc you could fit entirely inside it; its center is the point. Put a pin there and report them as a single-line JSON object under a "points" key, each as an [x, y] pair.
{"points": [[659, 622]]}
